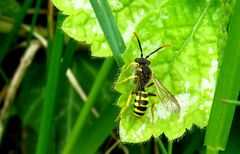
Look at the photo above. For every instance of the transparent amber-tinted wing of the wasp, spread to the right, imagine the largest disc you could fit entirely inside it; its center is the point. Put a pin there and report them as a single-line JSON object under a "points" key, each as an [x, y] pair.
{"points": [[165, 96]]}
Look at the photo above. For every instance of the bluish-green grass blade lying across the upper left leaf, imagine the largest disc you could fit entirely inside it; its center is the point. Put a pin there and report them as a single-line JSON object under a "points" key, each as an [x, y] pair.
{"points": [[109, 28]]}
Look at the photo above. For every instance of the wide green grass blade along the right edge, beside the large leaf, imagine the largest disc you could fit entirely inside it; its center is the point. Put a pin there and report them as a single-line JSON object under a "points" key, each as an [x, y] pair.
{"points": [[227, 88]]}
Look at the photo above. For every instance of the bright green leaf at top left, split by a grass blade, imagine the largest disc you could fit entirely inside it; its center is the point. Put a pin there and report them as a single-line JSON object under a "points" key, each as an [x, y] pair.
{"points": [[82, 25]]}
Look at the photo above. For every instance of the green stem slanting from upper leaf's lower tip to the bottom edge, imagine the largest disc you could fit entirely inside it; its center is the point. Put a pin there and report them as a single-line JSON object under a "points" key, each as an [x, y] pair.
{"points": [[105, 69]]}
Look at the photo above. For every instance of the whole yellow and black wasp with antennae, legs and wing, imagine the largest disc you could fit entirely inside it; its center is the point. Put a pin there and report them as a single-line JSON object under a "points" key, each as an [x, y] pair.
{"points": [[144, 78]]}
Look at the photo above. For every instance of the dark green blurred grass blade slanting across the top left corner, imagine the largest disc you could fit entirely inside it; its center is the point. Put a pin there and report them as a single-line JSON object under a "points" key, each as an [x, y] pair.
{"points": [[18, 20]]}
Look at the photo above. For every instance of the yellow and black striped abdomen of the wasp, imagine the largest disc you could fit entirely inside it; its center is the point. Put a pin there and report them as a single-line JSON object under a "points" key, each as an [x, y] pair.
{"points": [[140, 103]]}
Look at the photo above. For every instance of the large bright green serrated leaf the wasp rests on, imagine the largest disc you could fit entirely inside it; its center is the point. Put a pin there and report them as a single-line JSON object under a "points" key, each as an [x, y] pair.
{"points": [[187, 68]]}
